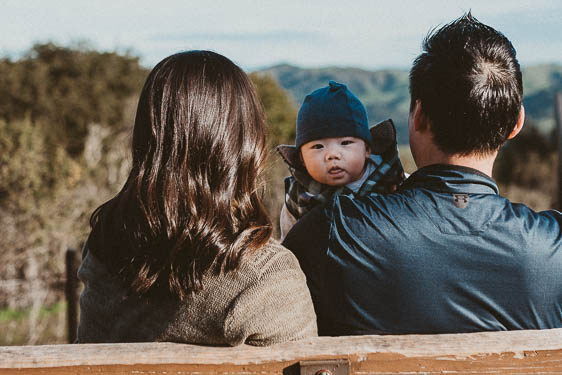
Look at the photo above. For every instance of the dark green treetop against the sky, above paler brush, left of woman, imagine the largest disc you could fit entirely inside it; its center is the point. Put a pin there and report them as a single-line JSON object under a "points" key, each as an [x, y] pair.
{"points": [[67, 89]]}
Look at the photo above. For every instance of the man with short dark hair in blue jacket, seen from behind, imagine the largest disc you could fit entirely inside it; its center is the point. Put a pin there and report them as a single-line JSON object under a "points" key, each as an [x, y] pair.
{"points": [[445, 253]]}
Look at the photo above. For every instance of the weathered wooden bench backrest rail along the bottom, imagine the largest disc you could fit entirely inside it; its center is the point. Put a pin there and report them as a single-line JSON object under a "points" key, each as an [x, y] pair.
{"points": [[515, 352]]}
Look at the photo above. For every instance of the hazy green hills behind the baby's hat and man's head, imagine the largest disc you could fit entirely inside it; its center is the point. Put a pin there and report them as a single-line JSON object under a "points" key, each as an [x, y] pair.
{"points": [[385, 92]]}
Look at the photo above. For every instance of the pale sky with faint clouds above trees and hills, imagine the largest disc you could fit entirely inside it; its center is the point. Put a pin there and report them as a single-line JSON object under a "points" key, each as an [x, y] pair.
{"points": [[255, 34]]}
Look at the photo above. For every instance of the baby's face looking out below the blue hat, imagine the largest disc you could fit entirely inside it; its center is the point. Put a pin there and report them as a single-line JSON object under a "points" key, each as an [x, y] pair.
{"points": [[335, 161]]}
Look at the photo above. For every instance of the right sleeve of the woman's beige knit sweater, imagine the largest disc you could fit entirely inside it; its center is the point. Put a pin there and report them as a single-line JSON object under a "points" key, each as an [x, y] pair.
{"points": [[277, 307]]}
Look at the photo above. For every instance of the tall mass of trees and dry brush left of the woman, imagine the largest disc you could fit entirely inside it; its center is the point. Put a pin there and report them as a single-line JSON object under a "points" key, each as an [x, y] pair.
{"points": [[59, 107]]}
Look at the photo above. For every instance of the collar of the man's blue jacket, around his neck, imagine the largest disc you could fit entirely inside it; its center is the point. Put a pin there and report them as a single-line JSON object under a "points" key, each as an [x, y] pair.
{"points": [[451, 179]]}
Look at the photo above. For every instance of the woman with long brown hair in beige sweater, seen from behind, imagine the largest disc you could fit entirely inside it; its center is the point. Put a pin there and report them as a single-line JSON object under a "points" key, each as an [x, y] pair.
{"points": [[183, 252]]}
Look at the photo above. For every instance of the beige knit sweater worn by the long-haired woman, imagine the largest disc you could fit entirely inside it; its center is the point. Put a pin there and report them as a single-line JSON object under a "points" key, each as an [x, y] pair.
{"points": [[266, 301]]}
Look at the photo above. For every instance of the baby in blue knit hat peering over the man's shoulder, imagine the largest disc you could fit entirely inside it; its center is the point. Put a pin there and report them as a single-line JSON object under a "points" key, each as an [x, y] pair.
{"points": [[336, 153]]}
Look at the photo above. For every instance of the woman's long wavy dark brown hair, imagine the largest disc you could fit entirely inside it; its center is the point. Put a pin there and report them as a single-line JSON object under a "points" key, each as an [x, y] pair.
{"points": [[193, 198]]}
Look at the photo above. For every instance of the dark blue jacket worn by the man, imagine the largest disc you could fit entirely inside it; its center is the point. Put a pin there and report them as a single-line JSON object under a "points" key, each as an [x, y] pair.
{"points": [[445, 253]]}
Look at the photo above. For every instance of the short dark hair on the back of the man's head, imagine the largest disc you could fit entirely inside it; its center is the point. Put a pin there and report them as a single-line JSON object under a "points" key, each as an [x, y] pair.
{"points": [[470, 86]]}
